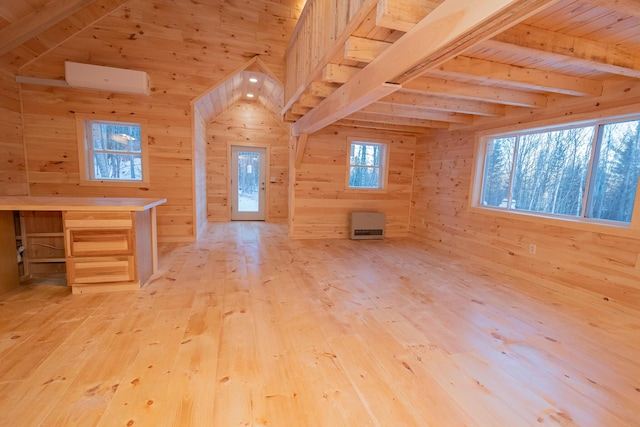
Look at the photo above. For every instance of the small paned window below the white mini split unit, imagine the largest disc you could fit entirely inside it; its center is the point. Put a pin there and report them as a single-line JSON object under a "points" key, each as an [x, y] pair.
{"points": [[113, 151]]}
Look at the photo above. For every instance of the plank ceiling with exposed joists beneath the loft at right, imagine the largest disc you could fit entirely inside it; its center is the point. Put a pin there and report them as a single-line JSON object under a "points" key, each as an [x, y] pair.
{"points": [[568, 48]]}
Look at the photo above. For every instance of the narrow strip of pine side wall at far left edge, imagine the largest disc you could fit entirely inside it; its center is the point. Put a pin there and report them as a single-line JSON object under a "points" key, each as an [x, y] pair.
{"points": [[13, 176]]}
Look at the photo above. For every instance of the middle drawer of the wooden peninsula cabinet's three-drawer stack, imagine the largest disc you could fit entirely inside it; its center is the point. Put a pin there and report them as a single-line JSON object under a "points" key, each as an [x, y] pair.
{"points": [[100, 242]]}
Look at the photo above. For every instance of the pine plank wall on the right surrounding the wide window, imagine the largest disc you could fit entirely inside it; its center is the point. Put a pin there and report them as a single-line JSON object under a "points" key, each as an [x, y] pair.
{"points": [[591, 265]]}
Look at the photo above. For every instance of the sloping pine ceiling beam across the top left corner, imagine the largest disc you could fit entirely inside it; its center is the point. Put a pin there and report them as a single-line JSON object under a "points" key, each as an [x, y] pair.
{"points": [[41, 19]]}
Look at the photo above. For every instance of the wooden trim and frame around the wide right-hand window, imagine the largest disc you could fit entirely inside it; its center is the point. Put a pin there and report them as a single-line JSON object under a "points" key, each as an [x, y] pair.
{"points": [[581, 223]]}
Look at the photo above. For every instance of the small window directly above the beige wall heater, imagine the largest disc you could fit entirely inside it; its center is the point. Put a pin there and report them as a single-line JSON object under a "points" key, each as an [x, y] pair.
{"points": [[367, 165]]}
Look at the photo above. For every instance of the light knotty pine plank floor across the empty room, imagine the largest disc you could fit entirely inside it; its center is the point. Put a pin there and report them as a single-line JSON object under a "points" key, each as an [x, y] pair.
{"points": [[247, 328]]}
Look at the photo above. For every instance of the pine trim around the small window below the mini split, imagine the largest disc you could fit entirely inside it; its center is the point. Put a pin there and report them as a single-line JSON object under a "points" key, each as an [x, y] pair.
{"points": [[83, 151]]}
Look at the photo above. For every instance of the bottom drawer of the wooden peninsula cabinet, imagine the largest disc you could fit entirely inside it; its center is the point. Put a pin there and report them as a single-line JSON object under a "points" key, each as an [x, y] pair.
{"points": [[100, 270]]}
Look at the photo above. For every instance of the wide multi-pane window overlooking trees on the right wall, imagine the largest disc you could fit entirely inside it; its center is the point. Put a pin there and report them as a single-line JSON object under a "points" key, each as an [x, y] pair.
{"points": [[588, 170]]}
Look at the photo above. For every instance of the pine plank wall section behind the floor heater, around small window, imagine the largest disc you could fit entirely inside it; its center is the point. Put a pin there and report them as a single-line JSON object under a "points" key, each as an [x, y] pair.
{"points": [[322, 201]]}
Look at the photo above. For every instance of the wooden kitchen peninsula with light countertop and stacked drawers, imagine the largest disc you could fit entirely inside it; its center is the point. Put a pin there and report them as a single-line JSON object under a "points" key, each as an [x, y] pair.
{"points": [[110, 244]]}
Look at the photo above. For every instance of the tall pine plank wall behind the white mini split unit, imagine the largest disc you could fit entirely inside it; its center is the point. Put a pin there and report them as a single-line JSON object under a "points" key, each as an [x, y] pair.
{"points": [[185, 47]]}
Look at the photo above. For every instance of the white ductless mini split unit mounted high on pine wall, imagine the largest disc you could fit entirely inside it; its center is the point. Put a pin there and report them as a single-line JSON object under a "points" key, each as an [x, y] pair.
{"points": [[109, 79]]}
